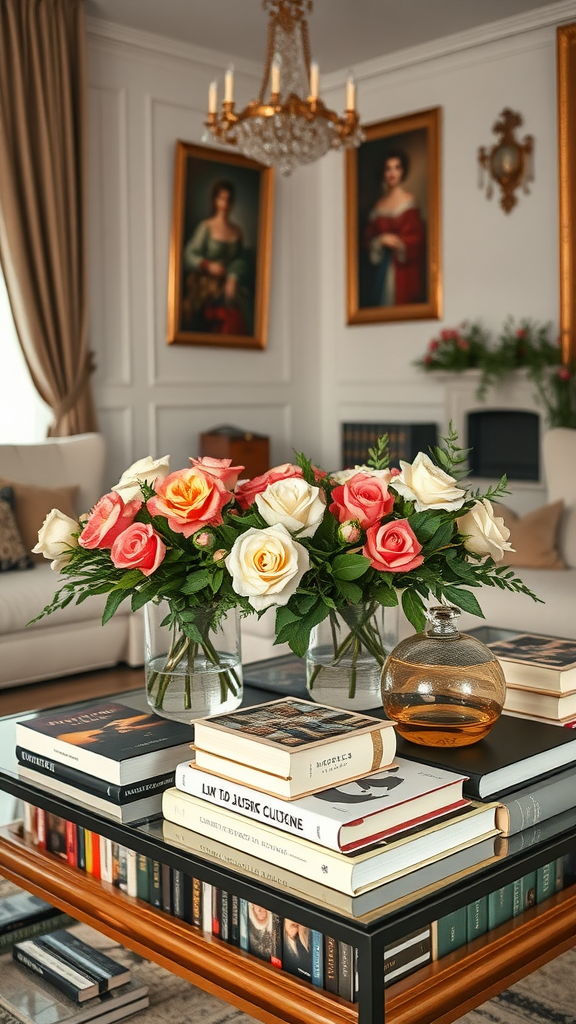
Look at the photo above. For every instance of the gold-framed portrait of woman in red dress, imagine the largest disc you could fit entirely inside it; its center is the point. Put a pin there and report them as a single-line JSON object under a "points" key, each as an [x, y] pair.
{"points": [[393, 222]]}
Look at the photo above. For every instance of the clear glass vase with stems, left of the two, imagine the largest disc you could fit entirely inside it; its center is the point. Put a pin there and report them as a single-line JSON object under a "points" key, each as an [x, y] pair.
{"points": [[188, 679]]}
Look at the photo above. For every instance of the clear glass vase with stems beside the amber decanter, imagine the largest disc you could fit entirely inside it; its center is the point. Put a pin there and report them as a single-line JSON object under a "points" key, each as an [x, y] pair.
{"points": [[346, 656]]}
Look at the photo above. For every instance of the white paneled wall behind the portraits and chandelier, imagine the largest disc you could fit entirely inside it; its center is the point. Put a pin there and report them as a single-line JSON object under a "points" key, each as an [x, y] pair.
{"points": [[155, 399]]}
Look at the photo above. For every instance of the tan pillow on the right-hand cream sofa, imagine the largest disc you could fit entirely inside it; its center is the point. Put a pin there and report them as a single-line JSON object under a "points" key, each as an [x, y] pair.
{"points": [[533, 537]]}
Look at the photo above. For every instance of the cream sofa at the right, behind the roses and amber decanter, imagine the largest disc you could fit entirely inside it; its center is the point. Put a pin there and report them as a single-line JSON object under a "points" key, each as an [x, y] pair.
{"points": [[502, 609]]}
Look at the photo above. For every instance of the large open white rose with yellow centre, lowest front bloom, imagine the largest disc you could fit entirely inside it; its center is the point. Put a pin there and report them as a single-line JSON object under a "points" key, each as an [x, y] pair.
{"points": [[267, 566]]}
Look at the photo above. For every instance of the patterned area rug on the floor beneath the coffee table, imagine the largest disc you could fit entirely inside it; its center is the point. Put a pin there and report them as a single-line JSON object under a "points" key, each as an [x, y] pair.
{"points": [[548, 997]]}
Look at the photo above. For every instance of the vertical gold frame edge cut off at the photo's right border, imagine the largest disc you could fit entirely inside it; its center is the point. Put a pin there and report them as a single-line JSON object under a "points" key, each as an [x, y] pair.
{"points": [[566, 48]]}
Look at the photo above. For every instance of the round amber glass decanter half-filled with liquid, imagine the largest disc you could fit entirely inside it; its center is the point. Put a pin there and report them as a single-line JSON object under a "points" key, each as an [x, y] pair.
{"points": [[442, 688]]}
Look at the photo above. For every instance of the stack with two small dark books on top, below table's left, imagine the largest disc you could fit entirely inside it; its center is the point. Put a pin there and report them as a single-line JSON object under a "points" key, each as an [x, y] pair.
{"points": [[62, 979]]}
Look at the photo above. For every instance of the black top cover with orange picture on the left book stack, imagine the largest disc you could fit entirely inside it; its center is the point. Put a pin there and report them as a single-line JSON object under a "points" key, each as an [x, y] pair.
{"points": [[112, 731]]}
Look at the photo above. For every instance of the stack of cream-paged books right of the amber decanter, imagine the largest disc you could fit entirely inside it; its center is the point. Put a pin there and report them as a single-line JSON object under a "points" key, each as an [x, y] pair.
{"points": [[541, 674]]}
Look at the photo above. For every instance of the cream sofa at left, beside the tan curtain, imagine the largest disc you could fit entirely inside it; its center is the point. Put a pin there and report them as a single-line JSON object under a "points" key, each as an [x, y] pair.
{"points": [[74, 639]]}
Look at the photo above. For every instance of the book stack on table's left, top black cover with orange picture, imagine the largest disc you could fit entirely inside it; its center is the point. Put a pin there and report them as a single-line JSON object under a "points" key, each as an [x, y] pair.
{"points": [[110, 758]]}
